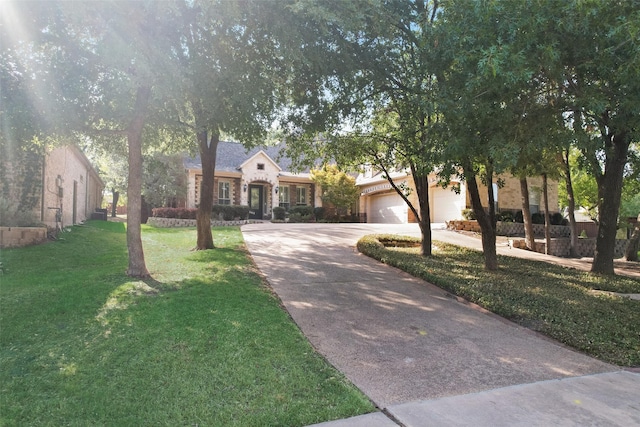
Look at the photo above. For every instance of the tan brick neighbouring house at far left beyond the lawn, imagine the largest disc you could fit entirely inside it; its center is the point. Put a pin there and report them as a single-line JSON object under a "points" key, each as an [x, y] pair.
{"points": [[71, 183]]}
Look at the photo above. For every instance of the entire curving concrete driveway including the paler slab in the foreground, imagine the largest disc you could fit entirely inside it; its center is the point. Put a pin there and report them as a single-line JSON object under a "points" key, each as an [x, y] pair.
{"points": [[420, 355]]}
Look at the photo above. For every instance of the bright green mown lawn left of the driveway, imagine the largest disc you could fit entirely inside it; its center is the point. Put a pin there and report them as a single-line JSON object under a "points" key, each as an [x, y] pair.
{"points": [[205, 343]]}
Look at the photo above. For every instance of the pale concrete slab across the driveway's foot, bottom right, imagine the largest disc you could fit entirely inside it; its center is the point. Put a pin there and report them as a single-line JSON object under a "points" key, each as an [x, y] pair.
{"points": [[609, 399]]}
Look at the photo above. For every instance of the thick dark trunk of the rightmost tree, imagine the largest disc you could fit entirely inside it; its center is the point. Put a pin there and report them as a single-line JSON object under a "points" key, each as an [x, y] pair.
{"points": [[609, 195]]}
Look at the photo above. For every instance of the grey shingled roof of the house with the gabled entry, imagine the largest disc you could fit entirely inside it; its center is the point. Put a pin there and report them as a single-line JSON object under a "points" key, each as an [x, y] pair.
{"points": [[231, 155]]}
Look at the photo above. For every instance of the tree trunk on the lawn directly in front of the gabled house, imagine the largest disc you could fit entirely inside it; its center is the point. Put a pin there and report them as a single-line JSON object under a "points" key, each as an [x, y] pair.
{"points": [[208, 149]]}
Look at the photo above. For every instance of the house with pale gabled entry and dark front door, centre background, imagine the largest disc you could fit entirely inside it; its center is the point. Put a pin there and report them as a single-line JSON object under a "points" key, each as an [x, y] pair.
{"points": [[259, 178]]}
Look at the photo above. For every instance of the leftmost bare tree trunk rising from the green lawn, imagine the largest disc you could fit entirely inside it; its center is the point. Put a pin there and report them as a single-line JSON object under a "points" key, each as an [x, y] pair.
{"points": [[137, 266]]}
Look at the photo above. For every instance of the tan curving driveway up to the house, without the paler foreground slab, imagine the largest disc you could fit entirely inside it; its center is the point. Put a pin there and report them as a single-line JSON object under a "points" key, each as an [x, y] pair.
{"points": [[398, 338]]}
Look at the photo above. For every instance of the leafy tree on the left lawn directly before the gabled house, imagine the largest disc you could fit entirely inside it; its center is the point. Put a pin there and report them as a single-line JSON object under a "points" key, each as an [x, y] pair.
{"points": [[240, 61]]}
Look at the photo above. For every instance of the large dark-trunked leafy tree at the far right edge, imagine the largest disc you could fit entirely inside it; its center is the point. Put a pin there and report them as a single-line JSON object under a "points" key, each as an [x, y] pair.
{"points": [[598, 67]]}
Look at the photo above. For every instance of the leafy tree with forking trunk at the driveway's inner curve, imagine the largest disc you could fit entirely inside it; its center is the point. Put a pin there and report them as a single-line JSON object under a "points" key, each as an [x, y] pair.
{"points": [[380, 110]]}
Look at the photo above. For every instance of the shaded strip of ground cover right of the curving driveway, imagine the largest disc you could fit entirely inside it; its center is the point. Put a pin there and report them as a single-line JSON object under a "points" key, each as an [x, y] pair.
{"points": [[558, 302]]}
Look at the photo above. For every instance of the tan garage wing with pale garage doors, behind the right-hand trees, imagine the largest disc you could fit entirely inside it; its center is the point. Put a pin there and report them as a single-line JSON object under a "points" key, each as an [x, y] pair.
{"points": [[382, 204]]}
